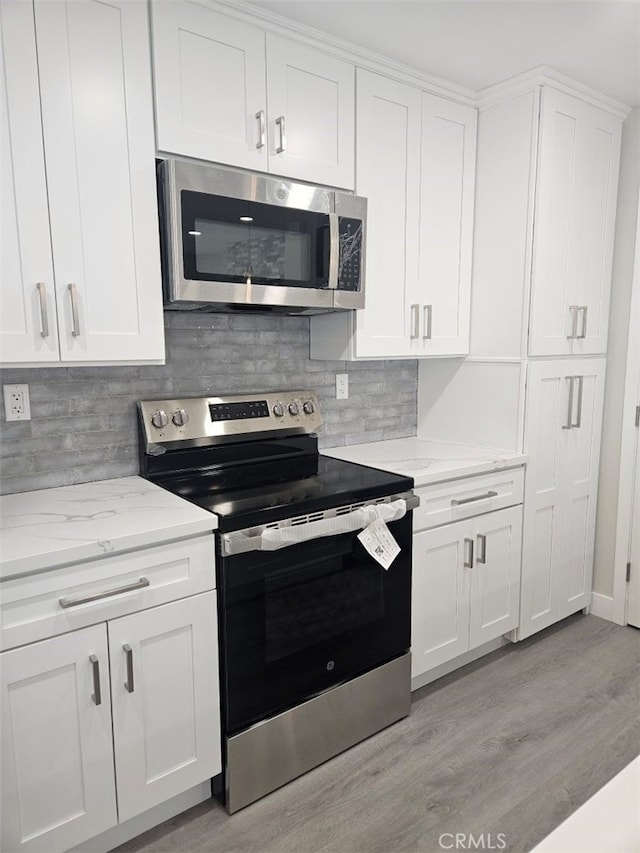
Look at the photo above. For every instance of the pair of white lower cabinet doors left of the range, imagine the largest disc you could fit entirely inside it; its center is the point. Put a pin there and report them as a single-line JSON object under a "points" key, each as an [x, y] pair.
{"points": [[142, 688]]}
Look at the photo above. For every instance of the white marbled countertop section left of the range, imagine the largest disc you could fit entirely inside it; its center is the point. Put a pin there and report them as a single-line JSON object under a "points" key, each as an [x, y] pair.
{"points": [[49, 528]]}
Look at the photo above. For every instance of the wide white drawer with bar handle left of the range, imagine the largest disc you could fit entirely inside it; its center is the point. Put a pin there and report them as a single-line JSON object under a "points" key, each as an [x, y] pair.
{"points": [[72, 597]]}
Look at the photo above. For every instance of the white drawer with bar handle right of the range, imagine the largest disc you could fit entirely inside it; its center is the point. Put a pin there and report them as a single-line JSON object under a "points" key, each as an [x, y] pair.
{"points": [[454, 500]]}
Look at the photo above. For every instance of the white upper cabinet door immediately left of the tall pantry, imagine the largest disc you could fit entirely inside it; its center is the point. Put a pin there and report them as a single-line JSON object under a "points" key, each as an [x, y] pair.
{"points": [[446, 224]]}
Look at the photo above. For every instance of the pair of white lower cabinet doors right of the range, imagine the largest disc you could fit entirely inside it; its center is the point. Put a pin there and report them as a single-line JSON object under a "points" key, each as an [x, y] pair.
{"points": [[466, 586]]}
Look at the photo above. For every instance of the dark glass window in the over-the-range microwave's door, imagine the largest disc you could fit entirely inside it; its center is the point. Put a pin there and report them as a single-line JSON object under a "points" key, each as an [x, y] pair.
{"points": [[232, 240]]}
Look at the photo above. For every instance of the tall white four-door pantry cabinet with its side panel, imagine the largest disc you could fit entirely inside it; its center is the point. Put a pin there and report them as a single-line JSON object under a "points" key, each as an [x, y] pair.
{"points": [[547, 177]]}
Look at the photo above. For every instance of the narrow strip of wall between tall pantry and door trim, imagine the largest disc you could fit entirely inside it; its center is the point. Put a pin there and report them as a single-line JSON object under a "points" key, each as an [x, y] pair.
{"points": [[617, 354]]}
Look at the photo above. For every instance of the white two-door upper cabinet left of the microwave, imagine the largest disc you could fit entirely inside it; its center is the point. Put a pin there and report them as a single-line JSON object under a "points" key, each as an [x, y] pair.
{"points": [[105, 296]]}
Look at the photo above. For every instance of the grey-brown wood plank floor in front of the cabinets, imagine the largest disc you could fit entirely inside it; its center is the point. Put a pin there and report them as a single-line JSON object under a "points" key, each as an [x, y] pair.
{"points": [[511, 744]]}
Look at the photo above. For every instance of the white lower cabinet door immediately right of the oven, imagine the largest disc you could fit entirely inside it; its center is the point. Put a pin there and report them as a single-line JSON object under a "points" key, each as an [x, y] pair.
{"points": [[440, 596]]}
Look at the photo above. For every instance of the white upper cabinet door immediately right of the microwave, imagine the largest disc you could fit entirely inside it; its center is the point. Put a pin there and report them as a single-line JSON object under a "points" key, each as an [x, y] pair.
{"points": [[388, 174]]}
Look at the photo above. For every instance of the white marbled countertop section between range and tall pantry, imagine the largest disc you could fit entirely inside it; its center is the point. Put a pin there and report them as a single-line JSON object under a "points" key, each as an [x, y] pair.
{"points": [[427, 461]]}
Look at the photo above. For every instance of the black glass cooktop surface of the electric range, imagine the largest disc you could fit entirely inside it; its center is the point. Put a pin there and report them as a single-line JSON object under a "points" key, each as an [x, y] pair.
{"points": [[260, 492]]}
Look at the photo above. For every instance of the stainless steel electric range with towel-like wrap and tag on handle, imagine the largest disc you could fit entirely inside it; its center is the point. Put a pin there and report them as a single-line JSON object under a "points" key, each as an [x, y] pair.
{"points": [[314, 622]]}
